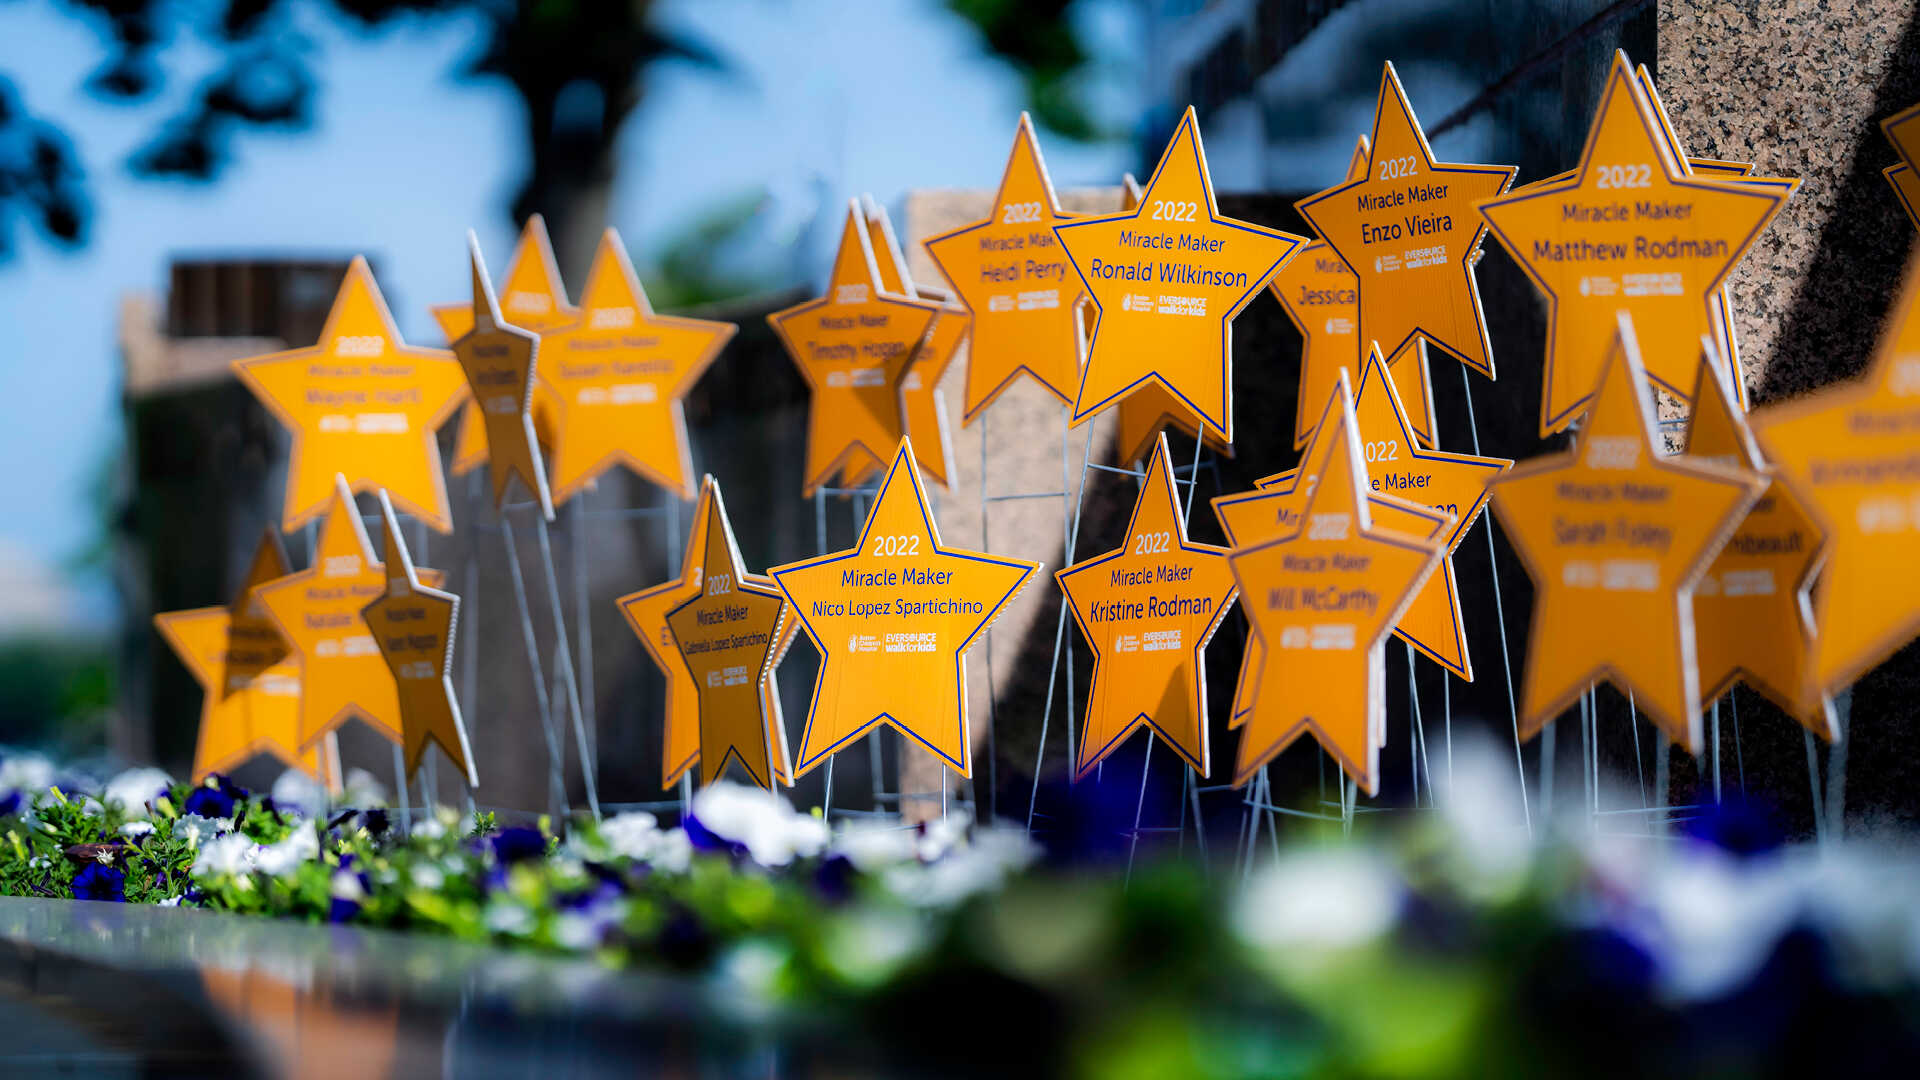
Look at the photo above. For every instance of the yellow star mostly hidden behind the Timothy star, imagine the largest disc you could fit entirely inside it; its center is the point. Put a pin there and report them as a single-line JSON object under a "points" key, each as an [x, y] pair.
{"points": [[921, 391]]}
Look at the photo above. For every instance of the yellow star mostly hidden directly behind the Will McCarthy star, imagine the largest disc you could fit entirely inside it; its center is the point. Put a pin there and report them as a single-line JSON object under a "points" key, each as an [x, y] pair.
{"points": [[1274, 510]]}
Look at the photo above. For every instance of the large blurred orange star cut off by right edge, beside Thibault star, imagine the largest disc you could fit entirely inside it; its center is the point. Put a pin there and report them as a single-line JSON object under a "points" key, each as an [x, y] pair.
{"points": [[1852, 454]]}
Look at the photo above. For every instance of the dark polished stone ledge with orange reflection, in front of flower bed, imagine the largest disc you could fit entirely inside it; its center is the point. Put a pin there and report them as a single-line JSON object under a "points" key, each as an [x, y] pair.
{"points": [[132, 991]]}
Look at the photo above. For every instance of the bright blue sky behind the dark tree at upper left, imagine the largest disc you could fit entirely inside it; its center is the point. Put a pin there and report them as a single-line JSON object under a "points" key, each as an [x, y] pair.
{"points": [[404, 160]]}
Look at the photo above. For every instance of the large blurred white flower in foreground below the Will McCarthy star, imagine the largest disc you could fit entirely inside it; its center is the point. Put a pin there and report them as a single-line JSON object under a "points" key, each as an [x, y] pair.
{"points": [[1318, 900]]}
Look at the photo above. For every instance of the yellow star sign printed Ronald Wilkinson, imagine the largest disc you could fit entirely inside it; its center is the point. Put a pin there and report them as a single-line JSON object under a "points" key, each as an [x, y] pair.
{"points": [[1166, 280]]}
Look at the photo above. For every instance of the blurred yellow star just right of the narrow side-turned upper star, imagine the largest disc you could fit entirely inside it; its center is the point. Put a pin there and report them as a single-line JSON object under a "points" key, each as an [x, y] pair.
{"points": [[621, 376]]}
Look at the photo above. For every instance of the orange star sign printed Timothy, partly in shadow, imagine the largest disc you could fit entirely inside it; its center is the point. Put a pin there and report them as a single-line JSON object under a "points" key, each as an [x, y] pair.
{"points": [[853, 347]]}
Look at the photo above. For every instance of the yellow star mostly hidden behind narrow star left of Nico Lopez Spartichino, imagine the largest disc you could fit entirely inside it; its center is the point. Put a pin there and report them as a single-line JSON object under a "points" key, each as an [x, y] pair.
{"points": [[646, 614]]}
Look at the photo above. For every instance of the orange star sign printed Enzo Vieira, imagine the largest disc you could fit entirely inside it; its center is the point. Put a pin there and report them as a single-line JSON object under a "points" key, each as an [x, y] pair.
{"points": [[1410, 233]]}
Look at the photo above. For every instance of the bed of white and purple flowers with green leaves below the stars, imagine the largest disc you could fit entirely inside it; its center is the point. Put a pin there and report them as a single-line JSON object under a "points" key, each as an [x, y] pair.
{"points": [[1447, 946]]}
